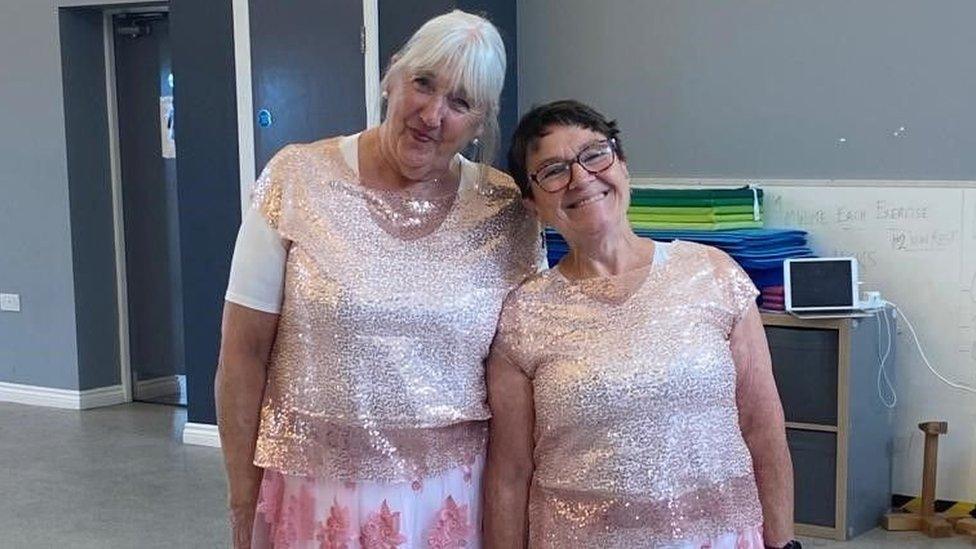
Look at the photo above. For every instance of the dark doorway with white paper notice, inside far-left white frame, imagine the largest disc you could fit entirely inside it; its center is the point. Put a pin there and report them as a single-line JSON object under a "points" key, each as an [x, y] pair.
{"points": [[147, 160]]}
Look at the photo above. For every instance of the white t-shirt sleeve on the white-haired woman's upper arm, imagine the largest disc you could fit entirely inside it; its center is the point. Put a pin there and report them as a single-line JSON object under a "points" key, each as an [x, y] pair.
{"points": [[257, 272]]}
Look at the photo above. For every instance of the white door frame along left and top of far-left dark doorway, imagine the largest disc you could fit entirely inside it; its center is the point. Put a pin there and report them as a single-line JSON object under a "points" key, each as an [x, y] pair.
{"points": [[115, 162]]}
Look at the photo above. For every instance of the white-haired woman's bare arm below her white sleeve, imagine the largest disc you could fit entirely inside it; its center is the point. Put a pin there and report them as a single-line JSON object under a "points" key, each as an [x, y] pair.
{"points": [[246, 339]]}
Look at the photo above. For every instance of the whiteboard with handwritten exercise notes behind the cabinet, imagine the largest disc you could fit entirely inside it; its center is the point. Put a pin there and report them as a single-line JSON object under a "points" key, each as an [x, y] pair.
{"points": [[918, 247]]}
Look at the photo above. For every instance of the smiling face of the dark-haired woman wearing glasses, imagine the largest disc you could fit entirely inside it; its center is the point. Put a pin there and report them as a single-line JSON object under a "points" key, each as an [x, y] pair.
{"points": [[591, 205]]}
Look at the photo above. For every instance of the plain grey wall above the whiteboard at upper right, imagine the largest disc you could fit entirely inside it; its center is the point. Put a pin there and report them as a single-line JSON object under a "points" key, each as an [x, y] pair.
{"points": [[762, 88]]}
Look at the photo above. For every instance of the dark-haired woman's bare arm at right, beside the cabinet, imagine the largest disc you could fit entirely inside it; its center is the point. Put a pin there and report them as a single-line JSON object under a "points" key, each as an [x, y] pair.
{"points": [[762, 424]]}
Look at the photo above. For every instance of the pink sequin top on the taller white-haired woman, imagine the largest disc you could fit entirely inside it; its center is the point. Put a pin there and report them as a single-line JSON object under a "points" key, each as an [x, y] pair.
{"points": [[389, 306]]}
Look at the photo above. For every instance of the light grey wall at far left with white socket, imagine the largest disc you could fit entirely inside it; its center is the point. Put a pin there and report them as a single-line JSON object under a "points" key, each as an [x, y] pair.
{"points": [[37, 345]]}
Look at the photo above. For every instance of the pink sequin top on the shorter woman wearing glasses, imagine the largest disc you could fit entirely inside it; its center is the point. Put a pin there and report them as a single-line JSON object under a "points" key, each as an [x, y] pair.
{"points": [[637, 440]]}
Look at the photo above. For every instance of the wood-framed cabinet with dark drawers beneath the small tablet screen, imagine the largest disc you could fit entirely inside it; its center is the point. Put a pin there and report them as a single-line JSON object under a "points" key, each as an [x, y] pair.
{"points": [[838, 430]]}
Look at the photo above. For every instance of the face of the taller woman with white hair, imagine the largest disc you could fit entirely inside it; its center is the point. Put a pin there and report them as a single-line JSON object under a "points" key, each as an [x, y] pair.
{"points": [[426, 124]]}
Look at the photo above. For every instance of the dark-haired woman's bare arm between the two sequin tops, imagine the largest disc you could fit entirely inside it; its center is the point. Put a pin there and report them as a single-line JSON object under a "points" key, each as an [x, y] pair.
{"points": [[509, 469]]}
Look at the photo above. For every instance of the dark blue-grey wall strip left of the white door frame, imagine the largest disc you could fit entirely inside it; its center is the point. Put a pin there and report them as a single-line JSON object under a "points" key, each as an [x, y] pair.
{"points": [[90, 197]]}
